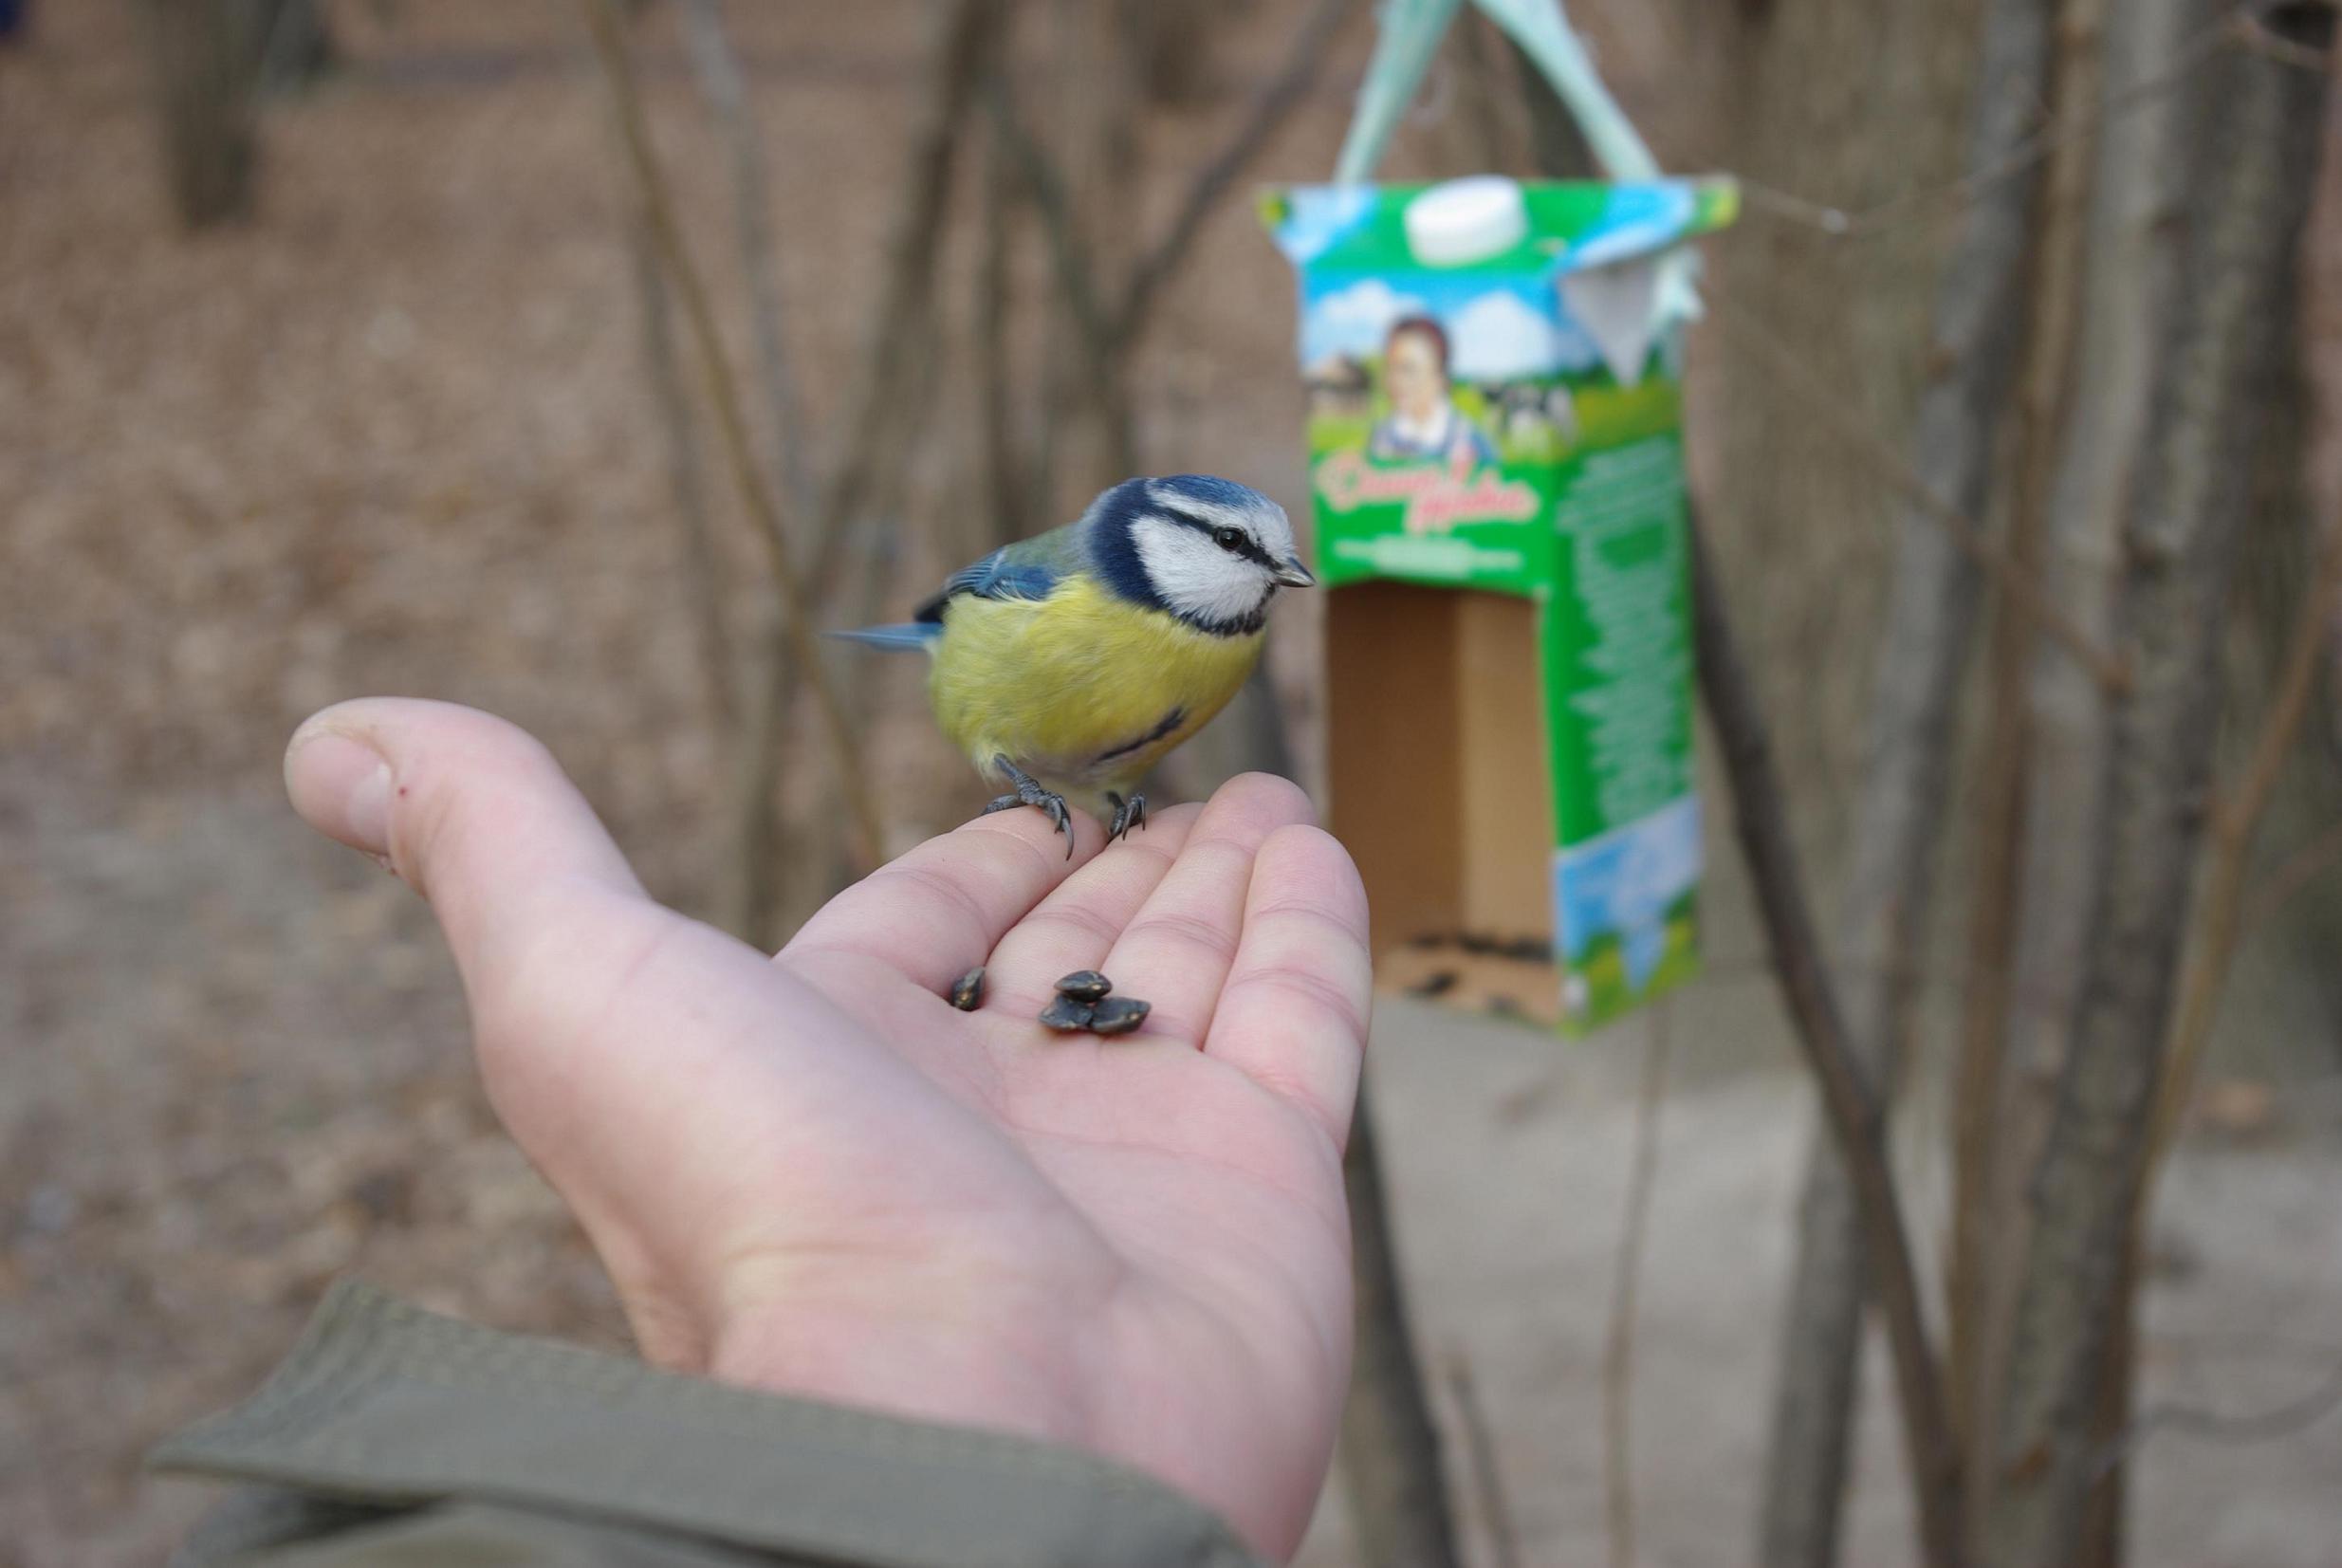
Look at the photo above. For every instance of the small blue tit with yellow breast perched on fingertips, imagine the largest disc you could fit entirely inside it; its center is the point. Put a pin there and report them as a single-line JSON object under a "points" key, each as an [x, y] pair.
{"points": [[1074, 661]]}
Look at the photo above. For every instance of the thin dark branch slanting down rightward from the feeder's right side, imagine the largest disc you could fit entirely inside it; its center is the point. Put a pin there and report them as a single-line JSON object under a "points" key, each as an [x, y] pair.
{"points": [[1849, 1101]]}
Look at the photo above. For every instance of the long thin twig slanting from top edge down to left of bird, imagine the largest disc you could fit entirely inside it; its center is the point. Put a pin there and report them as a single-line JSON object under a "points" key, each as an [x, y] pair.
{"points": [[603, 20]]}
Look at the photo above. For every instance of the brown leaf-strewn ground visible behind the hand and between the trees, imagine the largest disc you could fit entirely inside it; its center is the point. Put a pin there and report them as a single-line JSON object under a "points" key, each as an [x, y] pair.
{"points": [[392, 439]]}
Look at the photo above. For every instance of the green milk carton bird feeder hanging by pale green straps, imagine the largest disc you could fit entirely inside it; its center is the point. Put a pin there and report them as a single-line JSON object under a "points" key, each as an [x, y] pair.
{"points": [[1498, 479]]}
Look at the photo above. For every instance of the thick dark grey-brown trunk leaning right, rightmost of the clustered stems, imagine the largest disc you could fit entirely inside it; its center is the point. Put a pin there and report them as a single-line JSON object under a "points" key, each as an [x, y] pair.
{"points": [[2249, 181]]}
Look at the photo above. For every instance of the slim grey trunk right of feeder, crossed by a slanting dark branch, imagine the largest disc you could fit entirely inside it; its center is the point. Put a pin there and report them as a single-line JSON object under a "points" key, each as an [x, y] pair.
{"points": [[1905, 783]]}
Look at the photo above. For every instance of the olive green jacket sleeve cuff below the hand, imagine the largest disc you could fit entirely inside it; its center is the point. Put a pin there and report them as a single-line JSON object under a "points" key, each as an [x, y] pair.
{"points": [[395, 1436]]}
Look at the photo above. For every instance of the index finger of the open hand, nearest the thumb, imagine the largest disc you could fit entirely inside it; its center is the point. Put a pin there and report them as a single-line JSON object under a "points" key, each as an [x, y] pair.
{"points": [[938, 912]]}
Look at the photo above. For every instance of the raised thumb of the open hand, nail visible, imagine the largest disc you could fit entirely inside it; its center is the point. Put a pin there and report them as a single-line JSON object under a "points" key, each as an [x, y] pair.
{"points": [[467, 809]]}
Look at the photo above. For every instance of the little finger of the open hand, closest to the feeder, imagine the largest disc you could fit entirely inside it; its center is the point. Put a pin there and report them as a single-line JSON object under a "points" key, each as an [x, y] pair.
{"points": [[1296, 1003]]}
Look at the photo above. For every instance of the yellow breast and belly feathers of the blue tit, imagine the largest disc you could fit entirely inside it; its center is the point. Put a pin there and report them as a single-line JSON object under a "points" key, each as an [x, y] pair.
{"points": [[1083, 689]]}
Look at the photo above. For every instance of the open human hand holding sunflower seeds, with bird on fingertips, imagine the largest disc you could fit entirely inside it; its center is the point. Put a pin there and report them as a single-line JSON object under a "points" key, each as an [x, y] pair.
{"points": [[809, 1174]]}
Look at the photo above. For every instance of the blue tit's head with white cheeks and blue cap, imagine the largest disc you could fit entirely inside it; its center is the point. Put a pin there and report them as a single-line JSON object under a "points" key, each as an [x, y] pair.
{"points": [[1210, 551]]}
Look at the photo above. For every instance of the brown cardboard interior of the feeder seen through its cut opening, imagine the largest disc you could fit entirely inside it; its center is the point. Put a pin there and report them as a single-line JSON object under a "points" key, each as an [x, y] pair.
{"points": [[1442, 790]]}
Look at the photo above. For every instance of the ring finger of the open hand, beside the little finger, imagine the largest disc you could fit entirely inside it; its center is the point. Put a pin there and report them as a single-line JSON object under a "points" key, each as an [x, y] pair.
{"points": [[1179, 947]]}
